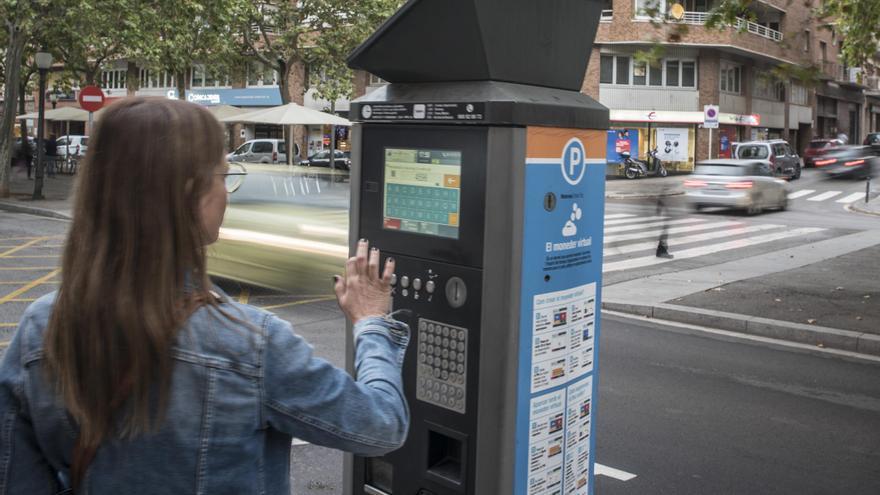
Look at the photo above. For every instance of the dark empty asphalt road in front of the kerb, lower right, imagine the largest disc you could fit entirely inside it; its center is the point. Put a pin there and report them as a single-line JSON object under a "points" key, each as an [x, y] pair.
{"points": [[689, 414]]}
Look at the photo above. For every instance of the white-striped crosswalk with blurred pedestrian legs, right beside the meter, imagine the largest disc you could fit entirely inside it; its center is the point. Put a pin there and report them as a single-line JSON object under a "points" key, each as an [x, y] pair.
{"points": [[631, 240]]}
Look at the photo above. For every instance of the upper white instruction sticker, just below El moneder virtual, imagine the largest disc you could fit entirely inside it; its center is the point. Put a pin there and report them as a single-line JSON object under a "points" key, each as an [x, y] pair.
{"points": [[563, 336]]}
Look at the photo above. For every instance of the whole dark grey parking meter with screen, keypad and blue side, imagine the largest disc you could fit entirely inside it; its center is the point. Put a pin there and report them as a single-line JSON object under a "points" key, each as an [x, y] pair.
{"points": [[480, 168]]}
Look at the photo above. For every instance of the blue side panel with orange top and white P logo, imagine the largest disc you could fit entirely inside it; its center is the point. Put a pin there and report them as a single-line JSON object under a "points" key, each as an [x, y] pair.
{"points": [[560, 301]]}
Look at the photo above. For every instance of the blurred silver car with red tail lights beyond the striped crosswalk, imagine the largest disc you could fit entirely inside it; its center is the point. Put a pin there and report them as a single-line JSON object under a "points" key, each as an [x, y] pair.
{"points": [[735, 183]]}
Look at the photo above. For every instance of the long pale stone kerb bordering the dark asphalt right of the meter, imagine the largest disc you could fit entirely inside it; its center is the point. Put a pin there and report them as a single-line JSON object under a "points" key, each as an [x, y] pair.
{"points": [[846, 340]]}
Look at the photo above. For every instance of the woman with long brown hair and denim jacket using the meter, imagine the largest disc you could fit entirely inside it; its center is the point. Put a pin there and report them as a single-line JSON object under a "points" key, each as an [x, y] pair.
{"points": [[138, 377]]}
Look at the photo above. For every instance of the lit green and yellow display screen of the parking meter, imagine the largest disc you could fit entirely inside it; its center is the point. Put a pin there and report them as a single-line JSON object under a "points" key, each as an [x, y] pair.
{"points": [[422, 191]]}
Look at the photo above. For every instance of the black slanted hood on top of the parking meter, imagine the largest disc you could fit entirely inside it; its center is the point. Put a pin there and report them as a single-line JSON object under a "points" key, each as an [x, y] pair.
{"points": [[537, 43]]}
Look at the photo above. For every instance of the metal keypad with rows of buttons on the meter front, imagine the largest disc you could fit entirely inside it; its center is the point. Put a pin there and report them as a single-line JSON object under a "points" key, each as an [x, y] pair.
{"points": [[442, 369]]}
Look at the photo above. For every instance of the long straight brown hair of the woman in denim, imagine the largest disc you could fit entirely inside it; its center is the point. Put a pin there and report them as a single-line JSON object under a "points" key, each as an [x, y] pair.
{"points": [[133, 268]]}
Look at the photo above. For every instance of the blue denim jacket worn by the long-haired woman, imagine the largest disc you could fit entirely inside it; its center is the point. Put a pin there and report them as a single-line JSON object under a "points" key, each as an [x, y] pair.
{"points": [[238, 396]]}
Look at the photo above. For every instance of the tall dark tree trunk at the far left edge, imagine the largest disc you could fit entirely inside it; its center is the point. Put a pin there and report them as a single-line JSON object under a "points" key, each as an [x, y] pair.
{"points": [[14, 50]]}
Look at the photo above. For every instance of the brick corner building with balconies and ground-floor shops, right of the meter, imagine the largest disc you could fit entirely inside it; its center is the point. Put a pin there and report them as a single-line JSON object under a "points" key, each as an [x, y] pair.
{"points": [[661, 104]]}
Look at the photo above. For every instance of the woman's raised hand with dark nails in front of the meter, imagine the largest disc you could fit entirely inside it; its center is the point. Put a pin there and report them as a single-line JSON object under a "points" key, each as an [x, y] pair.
{"points": [[361, 292]]}
